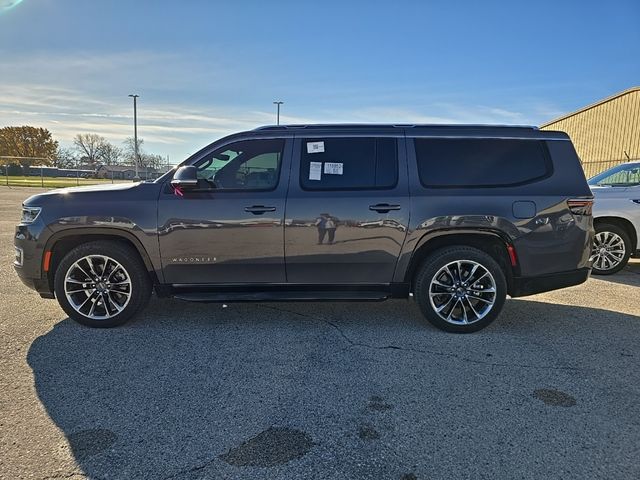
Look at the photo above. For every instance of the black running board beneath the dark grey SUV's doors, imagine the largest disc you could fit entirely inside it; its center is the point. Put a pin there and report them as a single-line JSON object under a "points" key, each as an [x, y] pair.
{"points": [[282, 296]]}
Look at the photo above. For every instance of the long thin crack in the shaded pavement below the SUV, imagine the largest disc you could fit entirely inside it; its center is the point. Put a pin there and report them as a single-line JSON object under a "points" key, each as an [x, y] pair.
{"points": [[353, 343]]}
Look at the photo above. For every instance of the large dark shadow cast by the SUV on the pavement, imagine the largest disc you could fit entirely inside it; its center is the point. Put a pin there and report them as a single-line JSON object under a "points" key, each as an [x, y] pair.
{"points": [[309, 390]]}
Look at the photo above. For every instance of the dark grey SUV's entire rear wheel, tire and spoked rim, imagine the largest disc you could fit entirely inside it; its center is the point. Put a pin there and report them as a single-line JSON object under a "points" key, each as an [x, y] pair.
{"points": [[460, 289]]}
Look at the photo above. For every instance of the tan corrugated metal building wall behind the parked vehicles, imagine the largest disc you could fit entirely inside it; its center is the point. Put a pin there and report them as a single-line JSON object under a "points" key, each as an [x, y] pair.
{"points": [[604, 131]]}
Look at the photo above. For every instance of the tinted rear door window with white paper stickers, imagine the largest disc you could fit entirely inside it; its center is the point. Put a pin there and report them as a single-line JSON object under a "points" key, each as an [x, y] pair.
{"points": [[348, 163]]}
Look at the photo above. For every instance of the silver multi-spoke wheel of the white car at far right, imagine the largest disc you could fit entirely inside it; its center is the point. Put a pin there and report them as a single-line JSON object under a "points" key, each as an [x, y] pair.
{"points": [[611, 249]]}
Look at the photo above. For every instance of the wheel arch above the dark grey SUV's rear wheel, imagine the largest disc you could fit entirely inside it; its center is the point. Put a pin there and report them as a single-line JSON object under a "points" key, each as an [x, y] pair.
{"points": [[491, 242]]}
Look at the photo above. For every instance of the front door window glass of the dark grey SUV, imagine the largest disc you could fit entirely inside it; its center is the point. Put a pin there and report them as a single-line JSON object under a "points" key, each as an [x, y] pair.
{"points": [[245, 165]]}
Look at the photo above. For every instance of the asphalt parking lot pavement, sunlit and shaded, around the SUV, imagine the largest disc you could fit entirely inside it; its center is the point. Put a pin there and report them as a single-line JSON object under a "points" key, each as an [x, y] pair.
{"points": [[320, 390]]}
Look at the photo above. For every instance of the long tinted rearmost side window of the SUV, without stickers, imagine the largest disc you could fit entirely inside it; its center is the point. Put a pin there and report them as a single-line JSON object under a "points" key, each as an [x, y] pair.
{"points": [[480, 162]]}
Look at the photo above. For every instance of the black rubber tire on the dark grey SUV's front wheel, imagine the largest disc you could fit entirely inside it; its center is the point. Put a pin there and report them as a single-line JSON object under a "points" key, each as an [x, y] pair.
{"points": [[139, 283]]}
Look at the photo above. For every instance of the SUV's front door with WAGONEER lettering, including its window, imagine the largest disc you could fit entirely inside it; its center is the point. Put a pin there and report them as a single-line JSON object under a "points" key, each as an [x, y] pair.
{"points": [[229, 230]]}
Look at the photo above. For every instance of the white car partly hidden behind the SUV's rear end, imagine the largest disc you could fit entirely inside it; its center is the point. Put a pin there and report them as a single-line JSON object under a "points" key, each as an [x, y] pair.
{"points": [[616, 214]]}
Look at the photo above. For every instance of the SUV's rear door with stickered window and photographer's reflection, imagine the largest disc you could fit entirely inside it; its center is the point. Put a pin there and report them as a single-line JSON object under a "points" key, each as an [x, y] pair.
{"points": [[347, 209]]}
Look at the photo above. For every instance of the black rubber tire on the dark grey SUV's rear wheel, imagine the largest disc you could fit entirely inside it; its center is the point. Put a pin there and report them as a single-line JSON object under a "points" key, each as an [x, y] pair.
{"points": [[431, 268]]}
